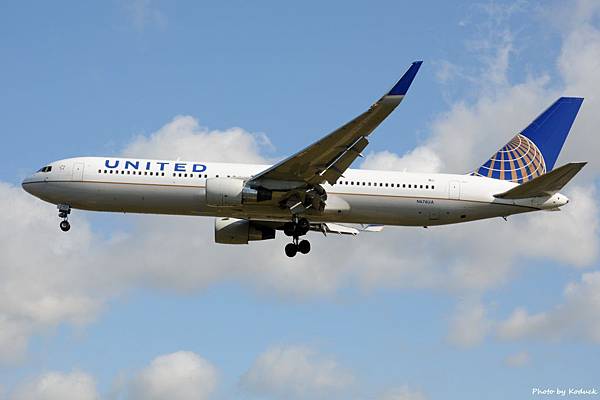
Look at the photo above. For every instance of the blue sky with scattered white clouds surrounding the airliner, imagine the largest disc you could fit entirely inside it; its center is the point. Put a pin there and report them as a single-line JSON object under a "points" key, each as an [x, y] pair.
{"points": [[148, 307]]}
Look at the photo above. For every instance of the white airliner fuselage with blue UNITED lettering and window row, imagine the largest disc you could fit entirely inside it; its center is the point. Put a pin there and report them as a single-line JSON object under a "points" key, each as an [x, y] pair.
{"points": [[361, 196]]}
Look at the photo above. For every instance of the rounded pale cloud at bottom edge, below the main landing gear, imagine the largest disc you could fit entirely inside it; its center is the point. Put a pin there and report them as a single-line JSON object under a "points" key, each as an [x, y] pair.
{"points": [[295, 372]]}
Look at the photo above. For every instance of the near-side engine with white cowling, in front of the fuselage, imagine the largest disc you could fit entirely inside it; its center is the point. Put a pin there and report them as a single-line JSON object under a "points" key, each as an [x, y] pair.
{"points": [[231, 192]]}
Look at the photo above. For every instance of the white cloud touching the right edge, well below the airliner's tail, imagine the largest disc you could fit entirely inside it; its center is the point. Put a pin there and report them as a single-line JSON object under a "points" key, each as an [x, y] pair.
{"points": [[578, 317]]}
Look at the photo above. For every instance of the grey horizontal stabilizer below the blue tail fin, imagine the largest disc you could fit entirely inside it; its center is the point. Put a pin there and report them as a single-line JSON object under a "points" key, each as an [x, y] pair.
{"points": [[544, 185]]}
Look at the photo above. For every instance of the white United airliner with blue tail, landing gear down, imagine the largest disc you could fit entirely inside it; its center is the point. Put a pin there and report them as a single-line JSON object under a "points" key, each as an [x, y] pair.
{"points": [[315, 190]]}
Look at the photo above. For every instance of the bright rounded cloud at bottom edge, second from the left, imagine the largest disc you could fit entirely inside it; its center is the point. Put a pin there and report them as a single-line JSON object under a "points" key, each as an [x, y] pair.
{"points": [[182, 375]]}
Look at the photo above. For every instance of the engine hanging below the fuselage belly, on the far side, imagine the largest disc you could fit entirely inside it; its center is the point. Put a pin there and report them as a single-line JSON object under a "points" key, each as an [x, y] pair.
{"points": [[240, 231]]}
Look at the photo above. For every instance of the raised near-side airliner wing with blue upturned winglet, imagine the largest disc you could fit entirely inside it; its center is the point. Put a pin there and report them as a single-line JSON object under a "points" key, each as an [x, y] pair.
{"points": [[328, 158]]}
